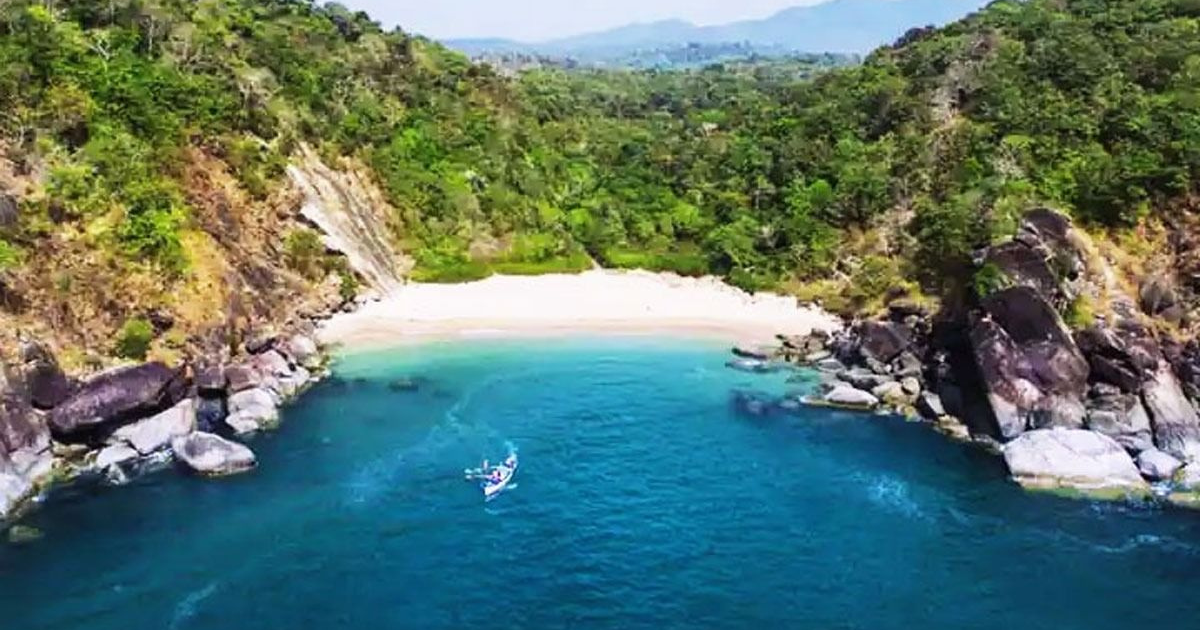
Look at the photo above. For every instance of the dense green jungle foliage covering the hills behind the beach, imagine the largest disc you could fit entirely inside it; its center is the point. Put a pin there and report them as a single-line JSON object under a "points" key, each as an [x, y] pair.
{"points": [[896, 169]]}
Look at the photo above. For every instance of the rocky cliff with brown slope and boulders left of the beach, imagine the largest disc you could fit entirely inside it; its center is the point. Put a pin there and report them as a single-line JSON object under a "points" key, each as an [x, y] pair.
{"points": [[230, 343]]}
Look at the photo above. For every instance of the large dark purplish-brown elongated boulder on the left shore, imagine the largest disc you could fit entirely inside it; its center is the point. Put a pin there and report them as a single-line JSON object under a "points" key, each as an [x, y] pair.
{"points": [[118, 398]]}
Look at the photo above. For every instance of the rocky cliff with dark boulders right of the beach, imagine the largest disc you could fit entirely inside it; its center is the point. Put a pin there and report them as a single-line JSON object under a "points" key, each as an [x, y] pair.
{"points": [[1082, 375]]}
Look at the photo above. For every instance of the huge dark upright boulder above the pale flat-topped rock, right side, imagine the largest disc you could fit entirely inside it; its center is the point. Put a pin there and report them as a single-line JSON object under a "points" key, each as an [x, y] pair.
{"points": [[1034, 373]]}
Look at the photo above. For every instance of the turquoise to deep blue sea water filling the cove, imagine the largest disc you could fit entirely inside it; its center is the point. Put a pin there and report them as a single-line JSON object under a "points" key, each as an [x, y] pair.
{"points": [[646, 501]]}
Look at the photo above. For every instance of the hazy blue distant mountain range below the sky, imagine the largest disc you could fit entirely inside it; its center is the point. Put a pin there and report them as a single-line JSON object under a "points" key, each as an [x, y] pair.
{"points": [[847, 27]]}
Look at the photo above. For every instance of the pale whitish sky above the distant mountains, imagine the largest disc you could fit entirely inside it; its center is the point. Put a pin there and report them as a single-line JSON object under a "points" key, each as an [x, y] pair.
{"points": [[545, 20]]}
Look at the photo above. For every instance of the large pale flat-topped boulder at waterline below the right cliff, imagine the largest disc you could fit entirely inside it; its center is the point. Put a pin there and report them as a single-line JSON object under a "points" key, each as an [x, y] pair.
{"points": [[1072, 460]]}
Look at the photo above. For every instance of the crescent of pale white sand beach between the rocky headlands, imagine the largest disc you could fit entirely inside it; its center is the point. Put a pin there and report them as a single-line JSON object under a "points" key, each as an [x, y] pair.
{"points": [[595, 303]]}
